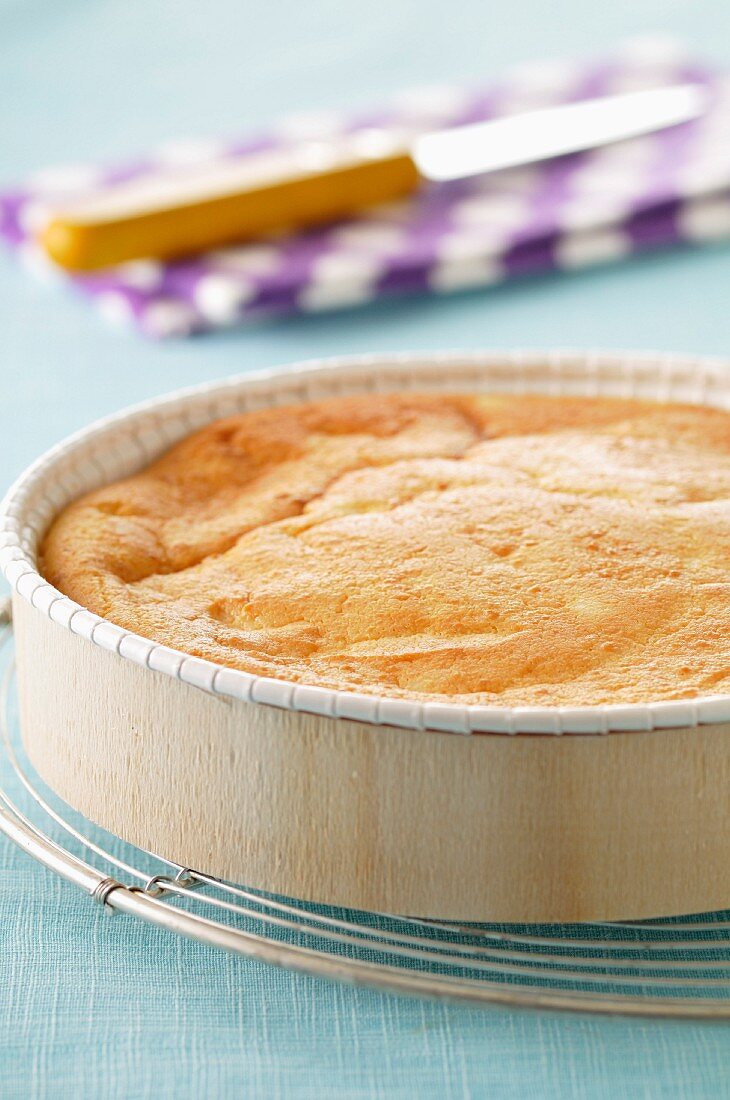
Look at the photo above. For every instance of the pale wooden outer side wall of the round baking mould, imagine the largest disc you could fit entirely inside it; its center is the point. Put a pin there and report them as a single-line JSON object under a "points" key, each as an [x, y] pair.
{"points": [[482, 828]]}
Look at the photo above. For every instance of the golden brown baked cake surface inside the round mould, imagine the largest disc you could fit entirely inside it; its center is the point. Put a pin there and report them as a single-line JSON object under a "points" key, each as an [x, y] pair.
{"points": [[518, 551]]}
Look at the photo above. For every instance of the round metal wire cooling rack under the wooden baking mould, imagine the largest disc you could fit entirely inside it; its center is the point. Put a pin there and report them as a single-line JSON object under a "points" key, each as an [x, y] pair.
{"points": [[678, 967]]}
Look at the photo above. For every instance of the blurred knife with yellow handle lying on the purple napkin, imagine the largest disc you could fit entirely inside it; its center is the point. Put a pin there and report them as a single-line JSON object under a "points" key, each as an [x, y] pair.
{"points": [[176, 213]]}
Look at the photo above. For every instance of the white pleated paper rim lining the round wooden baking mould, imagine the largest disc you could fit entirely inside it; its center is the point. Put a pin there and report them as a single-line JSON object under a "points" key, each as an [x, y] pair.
{"points": [[117, 446]]}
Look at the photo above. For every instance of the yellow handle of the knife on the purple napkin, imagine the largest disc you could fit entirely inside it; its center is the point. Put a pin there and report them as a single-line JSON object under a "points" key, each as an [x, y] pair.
{"points": [[107, 233]]}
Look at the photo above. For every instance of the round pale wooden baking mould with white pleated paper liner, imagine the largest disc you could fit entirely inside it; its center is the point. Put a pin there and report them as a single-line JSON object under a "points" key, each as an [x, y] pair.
{"points": [[434, 810]]}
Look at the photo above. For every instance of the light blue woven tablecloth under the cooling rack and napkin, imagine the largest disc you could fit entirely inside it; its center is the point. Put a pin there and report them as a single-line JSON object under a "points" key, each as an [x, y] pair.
{"points": [[98, 1008]]}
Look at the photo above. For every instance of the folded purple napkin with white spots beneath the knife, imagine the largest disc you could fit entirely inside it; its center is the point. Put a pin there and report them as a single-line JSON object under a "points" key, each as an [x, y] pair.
{"points": [[669, 188]]}
